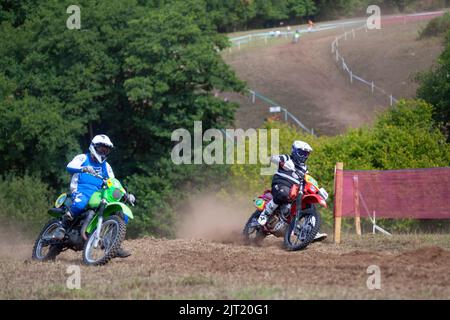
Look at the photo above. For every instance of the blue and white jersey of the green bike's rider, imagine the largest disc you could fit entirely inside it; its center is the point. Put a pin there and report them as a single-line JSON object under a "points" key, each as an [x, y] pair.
{"points": [[85, 182]]}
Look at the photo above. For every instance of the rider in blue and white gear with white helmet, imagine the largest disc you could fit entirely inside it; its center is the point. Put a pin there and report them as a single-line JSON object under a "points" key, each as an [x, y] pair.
{"points": [[83, 184]]}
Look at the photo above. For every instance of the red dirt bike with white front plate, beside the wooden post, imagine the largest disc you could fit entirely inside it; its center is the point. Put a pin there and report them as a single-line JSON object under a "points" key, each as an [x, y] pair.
{"points": [[299, 227]]}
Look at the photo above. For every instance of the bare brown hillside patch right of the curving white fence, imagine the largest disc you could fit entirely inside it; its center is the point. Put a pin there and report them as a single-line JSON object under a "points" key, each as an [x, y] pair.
{"points": [[393, 56]]}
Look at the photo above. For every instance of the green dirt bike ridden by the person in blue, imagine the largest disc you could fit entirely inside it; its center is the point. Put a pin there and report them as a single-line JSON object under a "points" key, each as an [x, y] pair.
{"points": [[99, 231]]}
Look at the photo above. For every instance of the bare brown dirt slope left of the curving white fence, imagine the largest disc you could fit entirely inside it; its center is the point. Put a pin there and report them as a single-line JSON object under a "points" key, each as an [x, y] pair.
{"points": [[305, 80]]}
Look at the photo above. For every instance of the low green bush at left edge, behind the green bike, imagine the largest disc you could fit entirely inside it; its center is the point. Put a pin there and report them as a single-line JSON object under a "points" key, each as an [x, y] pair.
{"points": [[25, 201]]}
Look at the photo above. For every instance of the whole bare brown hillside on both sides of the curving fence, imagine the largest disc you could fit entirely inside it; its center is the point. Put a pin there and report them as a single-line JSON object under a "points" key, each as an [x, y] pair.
{"points": [[305, 79]]}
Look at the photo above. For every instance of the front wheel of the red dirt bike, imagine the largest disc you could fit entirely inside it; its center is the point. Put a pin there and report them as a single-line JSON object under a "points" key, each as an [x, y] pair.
{"points": [[299, 235]]}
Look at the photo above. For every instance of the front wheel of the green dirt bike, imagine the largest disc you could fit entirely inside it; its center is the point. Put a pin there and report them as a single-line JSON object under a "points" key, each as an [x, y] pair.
{"points": [[112, 234]]}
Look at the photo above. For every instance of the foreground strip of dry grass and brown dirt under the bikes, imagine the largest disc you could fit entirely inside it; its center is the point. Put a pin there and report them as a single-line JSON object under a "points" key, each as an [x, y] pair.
{"points": [[411, 267]]}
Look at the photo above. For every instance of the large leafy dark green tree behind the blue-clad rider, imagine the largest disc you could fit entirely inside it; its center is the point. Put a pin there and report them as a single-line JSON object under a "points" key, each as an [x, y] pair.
{"points": [[134, 73]]}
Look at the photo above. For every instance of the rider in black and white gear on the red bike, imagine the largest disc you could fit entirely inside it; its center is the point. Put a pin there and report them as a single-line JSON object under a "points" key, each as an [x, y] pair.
{"points": [[291, 172]]}
